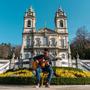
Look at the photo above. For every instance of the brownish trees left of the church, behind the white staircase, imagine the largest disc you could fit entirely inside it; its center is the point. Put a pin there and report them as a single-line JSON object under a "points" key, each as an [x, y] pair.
{"points": [[7, 50]]}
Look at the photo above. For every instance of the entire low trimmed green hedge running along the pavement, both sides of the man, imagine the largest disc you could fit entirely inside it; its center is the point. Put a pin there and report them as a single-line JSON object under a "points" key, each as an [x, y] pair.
{"points": [[54, 81]]}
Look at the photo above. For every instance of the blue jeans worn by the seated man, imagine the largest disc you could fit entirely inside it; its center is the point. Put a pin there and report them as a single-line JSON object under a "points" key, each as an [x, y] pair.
{"points": [[47, 69]]}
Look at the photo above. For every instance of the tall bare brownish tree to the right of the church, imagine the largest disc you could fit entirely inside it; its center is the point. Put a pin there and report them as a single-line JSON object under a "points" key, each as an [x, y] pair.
{"points": [[80, 43]]}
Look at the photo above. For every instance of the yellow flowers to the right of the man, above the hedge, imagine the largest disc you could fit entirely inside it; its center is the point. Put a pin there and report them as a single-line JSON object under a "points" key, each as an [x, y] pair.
{"points": [[60, 72]]}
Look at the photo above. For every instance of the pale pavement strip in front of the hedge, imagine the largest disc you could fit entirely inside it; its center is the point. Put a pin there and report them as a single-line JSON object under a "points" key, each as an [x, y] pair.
{"points": [[61, 87]]}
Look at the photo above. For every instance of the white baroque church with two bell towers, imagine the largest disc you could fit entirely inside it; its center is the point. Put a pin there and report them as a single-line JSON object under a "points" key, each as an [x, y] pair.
{"points": [[56, 40]]}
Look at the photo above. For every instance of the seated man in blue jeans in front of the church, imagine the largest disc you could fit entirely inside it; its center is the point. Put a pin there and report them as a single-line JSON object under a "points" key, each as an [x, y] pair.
{"points": [[45, 68]]}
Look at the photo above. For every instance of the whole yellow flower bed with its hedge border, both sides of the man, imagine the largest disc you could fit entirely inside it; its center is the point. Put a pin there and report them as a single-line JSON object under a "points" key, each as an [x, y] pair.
{"points": [[62, 76]]}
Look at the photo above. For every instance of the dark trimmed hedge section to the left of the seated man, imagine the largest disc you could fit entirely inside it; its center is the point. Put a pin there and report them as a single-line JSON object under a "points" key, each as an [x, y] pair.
{"points": [[17, 80]]}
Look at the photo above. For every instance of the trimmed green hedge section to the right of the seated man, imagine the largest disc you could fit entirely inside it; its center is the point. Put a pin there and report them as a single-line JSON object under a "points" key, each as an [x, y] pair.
{"points": [[70, 81]]}
